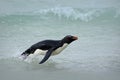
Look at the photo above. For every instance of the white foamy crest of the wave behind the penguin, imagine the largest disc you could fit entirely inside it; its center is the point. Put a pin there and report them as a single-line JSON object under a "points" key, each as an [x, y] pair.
{"points": [[71, 13]]}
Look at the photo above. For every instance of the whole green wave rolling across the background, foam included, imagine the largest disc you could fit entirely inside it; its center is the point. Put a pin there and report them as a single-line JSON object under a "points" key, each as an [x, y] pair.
{"points": [[64, 13]]}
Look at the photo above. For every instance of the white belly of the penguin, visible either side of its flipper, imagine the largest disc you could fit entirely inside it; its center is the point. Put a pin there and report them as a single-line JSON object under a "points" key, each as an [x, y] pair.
{"points": [[57, 51]]}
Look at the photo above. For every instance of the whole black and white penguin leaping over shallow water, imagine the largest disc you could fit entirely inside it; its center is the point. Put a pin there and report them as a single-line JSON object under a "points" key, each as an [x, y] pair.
{"points": [[49, 47]]}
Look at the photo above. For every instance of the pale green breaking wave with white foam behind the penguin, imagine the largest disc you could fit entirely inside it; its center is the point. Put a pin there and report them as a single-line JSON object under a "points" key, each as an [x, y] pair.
{"points": [[70, 13]]}
